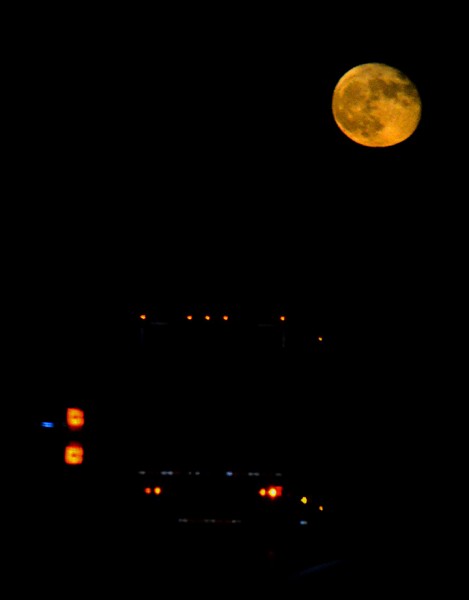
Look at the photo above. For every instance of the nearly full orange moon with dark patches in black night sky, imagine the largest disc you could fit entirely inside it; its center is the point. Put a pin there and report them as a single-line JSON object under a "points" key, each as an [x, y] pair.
{"points": [[376, 105]]}
